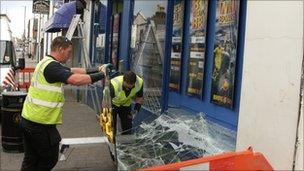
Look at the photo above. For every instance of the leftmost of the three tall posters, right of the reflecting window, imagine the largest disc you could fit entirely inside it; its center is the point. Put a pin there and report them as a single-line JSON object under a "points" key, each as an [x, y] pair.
{"points": [[176, 50]]}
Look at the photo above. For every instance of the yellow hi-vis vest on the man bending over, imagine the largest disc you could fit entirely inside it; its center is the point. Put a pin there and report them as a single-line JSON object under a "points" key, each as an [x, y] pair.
{"points": [[120, 96]]}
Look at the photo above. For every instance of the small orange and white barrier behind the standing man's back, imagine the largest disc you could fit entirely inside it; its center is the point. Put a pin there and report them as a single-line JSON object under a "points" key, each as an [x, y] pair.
{"points": [[25, 77]]}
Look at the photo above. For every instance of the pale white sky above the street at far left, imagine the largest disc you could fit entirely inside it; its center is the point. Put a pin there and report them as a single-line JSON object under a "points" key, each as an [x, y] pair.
{"points": [[15, 11]]}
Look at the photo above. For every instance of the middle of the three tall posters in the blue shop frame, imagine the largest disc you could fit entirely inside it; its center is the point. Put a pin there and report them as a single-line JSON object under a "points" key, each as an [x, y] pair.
{"points": [[198, 23]]}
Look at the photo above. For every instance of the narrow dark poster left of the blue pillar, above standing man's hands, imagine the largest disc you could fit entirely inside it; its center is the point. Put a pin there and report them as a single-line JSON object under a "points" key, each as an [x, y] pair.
{"points": [[115, 40]]}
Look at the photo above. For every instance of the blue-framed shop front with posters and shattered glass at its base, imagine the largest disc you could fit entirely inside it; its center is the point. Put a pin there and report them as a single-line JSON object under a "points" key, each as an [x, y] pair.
{"points": [[190, 55]]}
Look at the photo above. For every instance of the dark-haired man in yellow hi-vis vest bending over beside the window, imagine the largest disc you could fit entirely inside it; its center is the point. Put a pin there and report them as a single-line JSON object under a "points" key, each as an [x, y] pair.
{"points": [[123, 89]]}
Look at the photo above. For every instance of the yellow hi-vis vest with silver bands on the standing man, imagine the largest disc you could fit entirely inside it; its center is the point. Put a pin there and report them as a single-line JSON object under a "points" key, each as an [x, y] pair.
{"points": [[45, 100]]}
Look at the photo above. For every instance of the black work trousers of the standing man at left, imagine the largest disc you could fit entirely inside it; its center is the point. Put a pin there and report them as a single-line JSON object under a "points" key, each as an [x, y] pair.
{"points": [[41, 146]]}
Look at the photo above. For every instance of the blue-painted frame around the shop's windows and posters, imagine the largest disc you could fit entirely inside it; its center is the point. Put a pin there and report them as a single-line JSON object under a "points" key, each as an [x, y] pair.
{"points": [[221, 115]]}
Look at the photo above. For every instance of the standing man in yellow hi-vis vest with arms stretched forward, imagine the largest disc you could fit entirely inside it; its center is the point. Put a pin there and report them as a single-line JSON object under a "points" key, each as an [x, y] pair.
{"points": [[42, 109]]}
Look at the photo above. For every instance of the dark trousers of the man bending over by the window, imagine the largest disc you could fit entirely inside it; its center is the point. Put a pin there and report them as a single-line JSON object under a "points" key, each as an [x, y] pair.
{"points": [[124, 113]]}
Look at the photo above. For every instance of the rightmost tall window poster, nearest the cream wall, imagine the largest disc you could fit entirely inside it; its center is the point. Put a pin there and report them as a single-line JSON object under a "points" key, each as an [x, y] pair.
{"points": [[225, 51]]}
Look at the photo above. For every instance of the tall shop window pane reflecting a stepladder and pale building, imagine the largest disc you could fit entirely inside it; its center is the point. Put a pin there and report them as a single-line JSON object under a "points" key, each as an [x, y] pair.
{"points": [[147, 47]]}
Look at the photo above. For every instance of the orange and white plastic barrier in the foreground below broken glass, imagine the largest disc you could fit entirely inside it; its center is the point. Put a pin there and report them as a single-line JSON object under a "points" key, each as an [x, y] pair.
{"points": [[245, 160]]}
